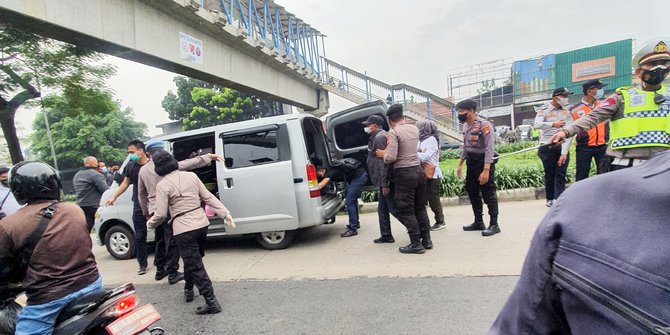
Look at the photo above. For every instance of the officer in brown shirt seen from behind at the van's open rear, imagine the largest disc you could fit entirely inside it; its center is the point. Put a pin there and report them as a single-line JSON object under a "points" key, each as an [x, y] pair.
{"points": [[409, 179]]}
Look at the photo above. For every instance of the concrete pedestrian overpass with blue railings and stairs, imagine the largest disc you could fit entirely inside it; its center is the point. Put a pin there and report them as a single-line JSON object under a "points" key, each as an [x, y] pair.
{"points": [[252, 45]]}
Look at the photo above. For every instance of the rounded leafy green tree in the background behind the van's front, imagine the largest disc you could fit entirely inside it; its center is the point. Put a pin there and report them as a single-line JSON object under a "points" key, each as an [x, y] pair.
{"points": [[103, 134]]}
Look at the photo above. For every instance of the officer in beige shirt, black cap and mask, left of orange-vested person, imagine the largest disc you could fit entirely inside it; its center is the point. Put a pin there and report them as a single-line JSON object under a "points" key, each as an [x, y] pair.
{"points": [[550, 118]]}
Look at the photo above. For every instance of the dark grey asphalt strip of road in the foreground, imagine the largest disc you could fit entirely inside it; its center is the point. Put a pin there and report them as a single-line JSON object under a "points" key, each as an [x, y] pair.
{"points": [[346, 306]]}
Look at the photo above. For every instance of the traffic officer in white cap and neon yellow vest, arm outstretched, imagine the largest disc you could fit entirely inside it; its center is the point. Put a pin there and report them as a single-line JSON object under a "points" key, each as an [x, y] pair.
{"points": [[640, 124]]}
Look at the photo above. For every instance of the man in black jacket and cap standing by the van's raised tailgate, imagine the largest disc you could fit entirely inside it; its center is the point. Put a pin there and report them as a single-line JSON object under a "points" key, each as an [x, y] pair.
{"points": [[378, 172]]}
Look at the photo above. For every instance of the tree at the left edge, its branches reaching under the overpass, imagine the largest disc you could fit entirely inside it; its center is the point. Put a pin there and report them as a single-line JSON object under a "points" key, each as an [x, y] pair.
{"points": [[30, 64]]}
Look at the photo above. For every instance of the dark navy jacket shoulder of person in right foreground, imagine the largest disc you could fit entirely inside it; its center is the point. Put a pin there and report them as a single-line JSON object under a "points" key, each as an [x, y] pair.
{"points": [[587, 271]]}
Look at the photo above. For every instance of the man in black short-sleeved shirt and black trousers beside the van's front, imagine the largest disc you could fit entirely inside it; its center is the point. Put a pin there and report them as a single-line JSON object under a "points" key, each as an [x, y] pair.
{"points": [[138, 158]]}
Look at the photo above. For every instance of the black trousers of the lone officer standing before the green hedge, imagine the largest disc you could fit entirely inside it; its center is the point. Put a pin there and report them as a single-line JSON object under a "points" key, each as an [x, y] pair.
{"points": [[475, 167]]}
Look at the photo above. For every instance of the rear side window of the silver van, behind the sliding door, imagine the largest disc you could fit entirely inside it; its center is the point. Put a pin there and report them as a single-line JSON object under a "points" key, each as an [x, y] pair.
{"points": [[251, 149]]}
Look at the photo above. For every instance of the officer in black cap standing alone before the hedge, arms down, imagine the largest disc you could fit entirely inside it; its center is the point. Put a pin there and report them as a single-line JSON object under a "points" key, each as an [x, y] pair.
{"points": [[480, 176]]}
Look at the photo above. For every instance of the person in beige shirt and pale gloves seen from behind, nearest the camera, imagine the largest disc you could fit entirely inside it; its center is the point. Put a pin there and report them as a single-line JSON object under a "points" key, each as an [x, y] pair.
{"points": [[179, 194]]}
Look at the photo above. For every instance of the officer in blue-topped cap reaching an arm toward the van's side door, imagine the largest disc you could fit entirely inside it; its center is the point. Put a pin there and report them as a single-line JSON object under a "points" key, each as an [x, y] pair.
{"points": [[166, 258]]}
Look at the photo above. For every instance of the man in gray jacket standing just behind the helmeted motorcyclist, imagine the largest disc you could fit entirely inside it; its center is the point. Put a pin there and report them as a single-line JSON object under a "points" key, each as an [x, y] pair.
{"points": [[89, 184]]}
